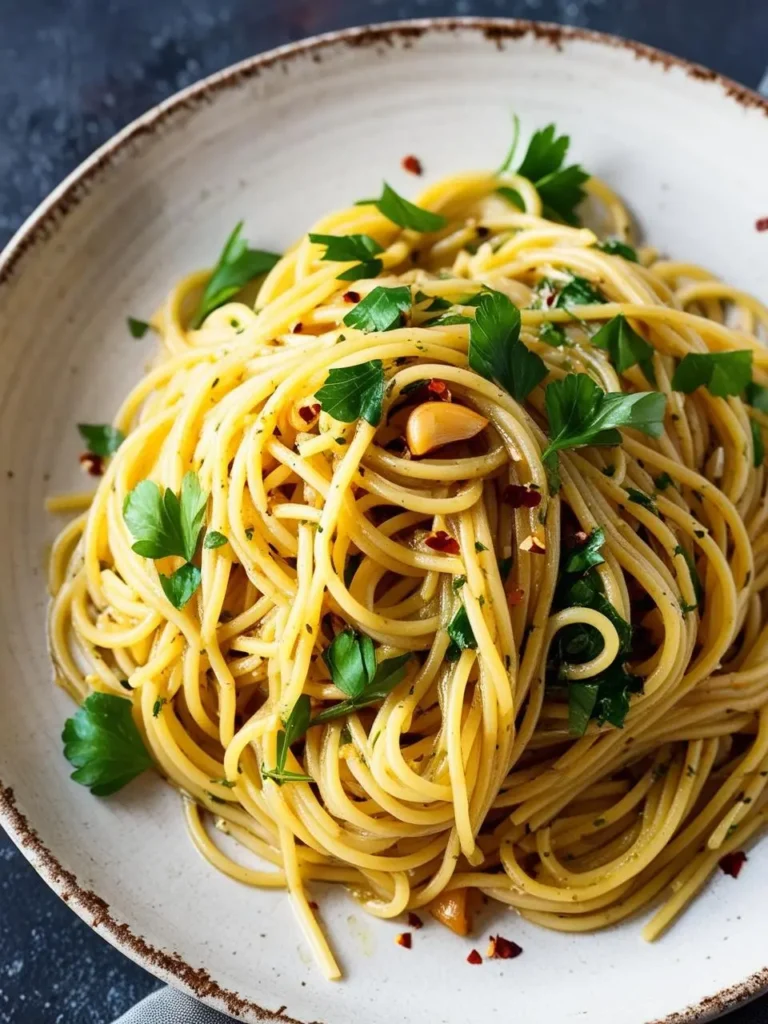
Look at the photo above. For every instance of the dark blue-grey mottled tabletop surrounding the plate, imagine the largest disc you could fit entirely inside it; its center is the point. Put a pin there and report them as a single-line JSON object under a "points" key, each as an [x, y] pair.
{"points": [[72, 73]]}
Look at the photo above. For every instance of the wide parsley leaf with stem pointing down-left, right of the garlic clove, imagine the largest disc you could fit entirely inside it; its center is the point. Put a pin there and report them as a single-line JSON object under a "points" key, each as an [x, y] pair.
{"points": [[581, 413]]}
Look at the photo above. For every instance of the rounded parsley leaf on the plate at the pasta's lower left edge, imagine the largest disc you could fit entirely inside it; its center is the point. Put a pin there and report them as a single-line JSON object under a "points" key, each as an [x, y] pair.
{"points": [[103, 743]]}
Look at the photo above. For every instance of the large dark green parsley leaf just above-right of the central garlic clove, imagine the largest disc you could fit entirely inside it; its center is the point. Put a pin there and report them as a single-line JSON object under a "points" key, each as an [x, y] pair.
{"points": [[496, 352]]}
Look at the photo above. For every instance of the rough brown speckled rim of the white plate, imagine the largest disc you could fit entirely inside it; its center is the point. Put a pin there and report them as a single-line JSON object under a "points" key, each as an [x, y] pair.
{"points": [[41, 227]]}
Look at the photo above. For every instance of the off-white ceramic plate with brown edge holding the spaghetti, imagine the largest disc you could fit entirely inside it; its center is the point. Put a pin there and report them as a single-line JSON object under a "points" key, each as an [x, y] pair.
{"points": [[280, 141]]}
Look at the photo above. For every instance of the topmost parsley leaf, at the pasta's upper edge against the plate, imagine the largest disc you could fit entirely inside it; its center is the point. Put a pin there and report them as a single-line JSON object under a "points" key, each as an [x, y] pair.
{"points": [[561, 188]]}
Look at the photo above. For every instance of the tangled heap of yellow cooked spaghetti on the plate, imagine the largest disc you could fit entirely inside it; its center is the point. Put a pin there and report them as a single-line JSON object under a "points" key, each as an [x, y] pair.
{"points": [[466, 776]]}
